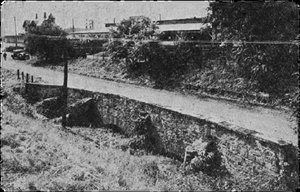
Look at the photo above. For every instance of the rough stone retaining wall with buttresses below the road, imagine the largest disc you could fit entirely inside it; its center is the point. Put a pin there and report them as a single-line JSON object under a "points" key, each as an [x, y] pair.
{"points": [[242, 153]]}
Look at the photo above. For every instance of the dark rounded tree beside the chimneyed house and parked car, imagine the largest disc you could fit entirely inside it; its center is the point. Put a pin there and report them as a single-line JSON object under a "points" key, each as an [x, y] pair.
{"points": [[39, 41]]}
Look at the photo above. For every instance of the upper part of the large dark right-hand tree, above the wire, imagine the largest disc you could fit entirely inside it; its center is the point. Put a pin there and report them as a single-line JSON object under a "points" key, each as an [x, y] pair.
{"points": [[242, 21]]}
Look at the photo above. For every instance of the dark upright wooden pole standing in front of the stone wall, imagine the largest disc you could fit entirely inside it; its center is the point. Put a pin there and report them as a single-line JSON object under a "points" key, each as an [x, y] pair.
{"points": [[65, 91]]}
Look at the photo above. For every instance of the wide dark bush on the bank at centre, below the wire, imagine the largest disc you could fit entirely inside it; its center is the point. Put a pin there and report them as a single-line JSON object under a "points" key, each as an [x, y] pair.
{"points": [[164, 65]]}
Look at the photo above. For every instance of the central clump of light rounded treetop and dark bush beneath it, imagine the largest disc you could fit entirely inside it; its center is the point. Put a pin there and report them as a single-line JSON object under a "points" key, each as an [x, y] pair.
{"points": [[163, 64]]}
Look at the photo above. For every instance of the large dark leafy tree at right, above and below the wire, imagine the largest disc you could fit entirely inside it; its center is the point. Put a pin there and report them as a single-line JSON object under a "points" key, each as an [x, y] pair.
{"points": [[270, 67]]}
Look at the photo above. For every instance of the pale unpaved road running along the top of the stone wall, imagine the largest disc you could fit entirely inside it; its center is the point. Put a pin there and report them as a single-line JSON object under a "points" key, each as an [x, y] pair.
{"points": [[270, 124]]}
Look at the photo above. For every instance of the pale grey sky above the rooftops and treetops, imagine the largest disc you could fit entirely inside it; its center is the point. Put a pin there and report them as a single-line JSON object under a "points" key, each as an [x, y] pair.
{"points": [[101, 12]]}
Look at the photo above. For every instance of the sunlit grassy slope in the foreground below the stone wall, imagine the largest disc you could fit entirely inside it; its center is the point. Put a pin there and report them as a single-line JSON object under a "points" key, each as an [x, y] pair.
{"points": [[39, 155]]}
